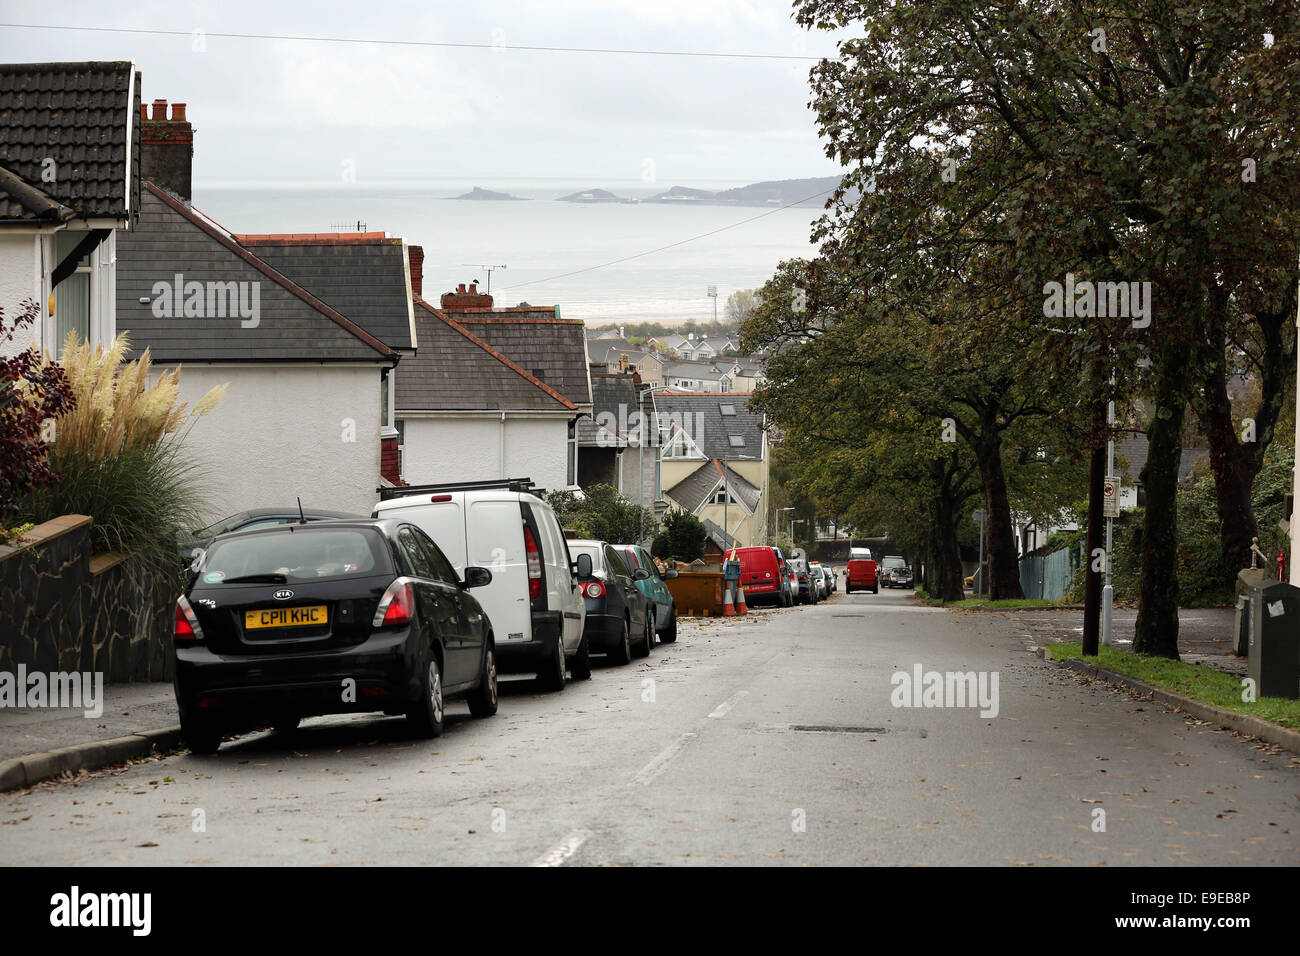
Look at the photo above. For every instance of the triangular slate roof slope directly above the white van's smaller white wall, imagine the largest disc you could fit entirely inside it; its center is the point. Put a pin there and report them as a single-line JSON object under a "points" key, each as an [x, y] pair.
{"points": [[457, 371]]}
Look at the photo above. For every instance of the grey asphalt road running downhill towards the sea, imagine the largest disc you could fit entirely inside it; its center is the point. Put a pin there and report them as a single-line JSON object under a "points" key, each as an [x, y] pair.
{"points": [[769, 741]]}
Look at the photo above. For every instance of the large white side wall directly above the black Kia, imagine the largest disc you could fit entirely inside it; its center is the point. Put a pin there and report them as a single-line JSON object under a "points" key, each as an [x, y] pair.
{"points": [[280, 434]]}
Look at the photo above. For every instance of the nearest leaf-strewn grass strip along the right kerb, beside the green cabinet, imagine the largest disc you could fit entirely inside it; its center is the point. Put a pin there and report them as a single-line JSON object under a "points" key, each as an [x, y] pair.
{"points": [[1191, 681]]}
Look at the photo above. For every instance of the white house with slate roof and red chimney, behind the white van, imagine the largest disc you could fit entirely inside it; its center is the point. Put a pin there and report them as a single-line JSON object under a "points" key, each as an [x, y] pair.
{"points": [[499, 393]]}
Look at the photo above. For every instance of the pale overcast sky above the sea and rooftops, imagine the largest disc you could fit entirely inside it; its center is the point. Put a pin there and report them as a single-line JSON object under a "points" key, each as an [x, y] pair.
{"points": [[271, 109]]}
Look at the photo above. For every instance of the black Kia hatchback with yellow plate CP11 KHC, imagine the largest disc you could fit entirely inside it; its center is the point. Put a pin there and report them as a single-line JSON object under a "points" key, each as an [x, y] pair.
{"points": [[323, 618]]}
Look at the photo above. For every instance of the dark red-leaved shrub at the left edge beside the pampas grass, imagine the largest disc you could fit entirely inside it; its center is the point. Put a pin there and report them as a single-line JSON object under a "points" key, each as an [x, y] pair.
{"points": [[33, 393]]}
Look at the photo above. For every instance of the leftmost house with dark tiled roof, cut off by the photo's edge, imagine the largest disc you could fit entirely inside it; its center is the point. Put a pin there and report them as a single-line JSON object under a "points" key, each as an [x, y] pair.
{"points": [[70, 187]]}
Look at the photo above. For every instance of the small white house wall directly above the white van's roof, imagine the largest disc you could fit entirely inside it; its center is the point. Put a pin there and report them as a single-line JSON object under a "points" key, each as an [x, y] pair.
{"points": [[470, 449]]}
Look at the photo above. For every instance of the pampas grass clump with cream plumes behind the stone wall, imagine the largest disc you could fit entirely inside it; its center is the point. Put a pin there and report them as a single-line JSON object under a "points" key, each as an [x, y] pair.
{"points": [[120, 456]]}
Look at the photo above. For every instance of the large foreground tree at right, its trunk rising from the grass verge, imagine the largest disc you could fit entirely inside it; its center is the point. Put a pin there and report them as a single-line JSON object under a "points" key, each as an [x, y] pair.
{"points": [[1081, 141]]}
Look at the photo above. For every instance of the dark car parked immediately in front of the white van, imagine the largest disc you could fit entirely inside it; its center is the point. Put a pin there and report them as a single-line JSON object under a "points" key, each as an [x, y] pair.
{"points": [[617, 611]]}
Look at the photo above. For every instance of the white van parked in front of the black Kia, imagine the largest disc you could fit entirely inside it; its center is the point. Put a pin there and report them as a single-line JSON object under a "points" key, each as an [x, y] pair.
{"points": [[534, 604]]}
